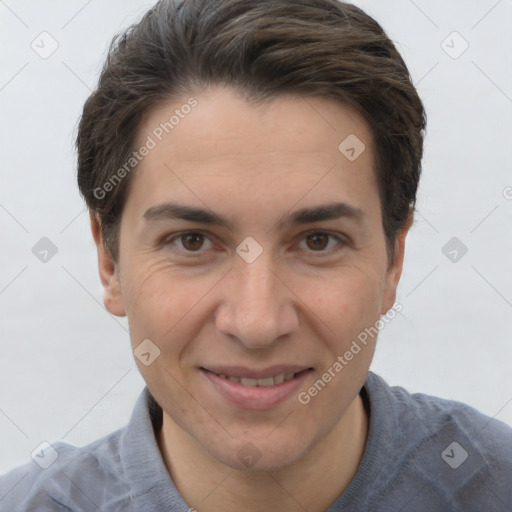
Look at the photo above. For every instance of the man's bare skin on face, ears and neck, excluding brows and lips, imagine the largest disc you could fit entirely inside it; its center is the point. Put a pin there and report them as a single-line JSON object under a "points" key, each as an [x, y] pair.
{"points": [[298, 303]]}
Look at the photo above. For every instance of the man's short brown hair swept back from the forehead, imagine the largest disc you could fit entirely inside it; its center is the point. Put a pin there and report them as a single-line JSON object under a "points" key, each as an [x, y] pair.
{"points": [[263, 49]]}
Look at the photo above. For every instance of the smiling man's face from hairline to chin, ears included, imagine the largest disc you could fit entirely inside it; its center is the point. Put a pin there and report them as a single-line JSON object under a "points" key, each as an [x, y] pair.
{"points": [[274, 280]]}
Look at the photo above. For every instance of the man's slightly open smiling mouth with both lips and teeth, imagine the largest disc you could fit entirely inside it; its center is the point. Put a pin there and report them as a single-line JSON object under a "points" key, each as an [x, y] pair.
{"points": [[256, 390]]}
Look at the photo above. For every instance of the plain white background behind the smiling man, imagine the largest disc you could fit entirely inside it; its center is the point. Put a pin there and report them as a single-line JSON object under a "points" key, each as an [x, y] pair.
{"points": [[66, 368]]}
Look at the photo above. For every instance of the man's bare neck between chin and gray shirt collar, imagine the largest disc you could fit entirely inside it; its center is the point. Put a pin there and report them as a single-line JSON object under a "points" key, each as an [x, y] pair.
{"points": [[313, 483]]}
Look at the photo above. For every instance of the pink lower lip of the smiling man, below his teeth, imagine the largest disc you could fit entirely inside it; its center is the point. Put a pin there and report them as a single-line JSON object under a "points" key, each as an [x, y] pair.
{"points": [[256, 398]]}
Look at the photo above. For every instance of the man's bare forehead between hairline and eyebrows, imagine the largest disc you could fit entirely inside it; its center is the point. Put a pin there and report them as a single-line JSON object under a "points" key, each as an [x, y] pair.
{"points": [[289, 148]]}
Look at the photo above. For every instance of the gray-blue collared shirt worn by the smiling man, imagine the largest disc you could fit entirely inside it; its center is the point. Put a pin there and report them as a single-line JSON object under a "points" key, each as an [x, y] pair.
{"points": [[422, 454]]}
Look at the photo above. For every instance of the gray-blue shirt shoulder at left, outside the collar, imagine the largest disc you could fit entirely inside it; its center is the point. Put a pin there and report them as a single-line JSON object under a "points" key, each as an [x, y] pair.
{"points": [[61, 475]]}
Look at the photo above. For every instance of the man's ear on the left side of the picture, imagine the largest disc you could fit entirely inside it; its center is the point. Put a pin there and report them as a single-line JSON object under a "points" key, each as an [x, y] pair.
{"points": [[108, 270]]}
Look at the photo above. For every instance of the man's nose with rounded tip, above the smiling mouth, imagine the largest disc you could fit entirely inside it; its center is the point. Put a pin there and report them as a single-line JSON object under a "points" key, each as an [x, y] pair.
{"points": [[257, 306]]}
